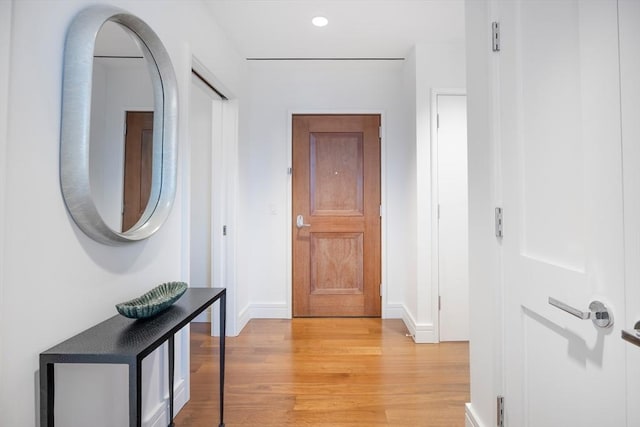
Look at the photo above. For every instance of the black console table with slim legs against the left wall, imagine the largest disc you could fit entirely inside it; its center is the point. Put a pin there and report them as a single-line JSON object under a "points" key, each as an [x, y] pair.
{"points": [[120, 340]]}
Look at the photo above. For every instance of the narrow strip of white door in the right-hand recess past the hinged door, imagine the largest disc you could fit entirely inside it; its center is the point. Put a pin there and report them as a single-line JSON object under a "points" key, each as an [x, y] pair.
{"points": [[453, 206]]}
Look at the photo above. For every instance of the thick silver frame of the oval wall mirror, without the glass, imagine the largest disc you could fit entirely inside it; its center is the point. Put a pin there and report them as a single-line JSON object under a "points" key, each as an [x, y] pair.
{"points": [[76, 118]]}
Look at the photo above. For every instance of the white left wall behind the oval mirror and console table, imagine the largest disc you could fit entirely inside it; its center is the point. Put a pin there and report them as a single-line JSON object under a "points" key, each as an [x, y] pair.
{"points": [[55, 281]]}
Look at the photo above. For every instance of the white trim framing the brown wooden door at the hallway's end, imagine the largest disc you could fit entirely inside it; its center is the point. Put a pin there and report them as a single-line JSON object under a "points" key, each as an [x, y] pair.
{"points": [[383, 198]]}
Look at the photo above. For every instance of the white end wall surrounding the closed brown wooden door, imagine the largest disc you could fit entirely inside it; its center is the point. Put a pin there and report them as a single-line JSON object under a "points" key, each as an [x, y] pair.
{"points": [[277, 89]]}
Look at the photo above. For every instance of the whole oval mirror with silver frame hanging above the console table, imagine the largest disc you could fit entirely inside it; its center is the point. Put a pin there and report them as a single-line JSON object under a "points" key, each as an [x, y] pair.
{"points": [[119, 119]]}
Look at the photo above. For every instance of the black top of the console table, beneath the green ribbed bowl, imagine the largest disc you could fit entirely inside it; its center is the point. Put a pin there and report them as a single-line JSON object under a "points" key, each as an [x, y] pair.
{"points": [[123, 340]]}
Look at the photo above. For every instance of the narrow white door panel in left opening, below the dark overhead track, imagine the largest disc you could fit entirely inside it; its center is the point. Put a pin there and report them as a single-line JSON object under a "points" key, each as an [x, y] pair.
{"points": [[206, 189]]}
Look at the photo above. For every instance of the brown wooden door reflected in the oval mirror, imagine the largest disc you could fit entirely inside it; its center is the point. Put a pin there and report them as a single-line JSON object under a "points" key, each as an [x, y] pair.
{"points": [[138, 153]]}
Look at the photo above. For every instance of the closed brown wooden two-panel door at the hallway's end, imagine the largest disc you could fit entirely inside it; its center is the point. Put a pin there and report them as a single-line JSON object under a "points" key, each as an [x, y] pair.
{"points": [[336, 189]]}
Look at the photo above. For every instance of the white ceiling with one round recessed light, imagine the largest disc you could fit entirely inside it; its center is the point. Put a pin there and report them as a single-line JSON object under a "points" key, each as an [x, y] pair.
{"points": [[357, 28]]}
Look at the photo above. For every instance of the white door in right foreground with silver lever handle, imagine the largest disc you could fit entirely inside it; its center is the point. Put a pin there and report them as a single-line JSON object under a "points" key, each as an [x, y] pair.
{"points": [[559, 134]]}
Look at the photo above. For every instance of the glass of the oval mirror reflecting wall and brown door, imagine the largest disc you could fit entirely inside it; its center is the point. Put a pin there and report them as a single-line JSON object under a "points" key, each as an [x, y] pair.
{"points": [[121, 131]]}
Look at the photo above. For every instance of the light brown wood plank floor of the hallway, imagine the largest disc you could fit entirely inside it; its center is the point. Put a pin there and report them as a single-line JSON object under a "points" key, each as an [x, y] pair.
{"points": [[327, 372]]}
